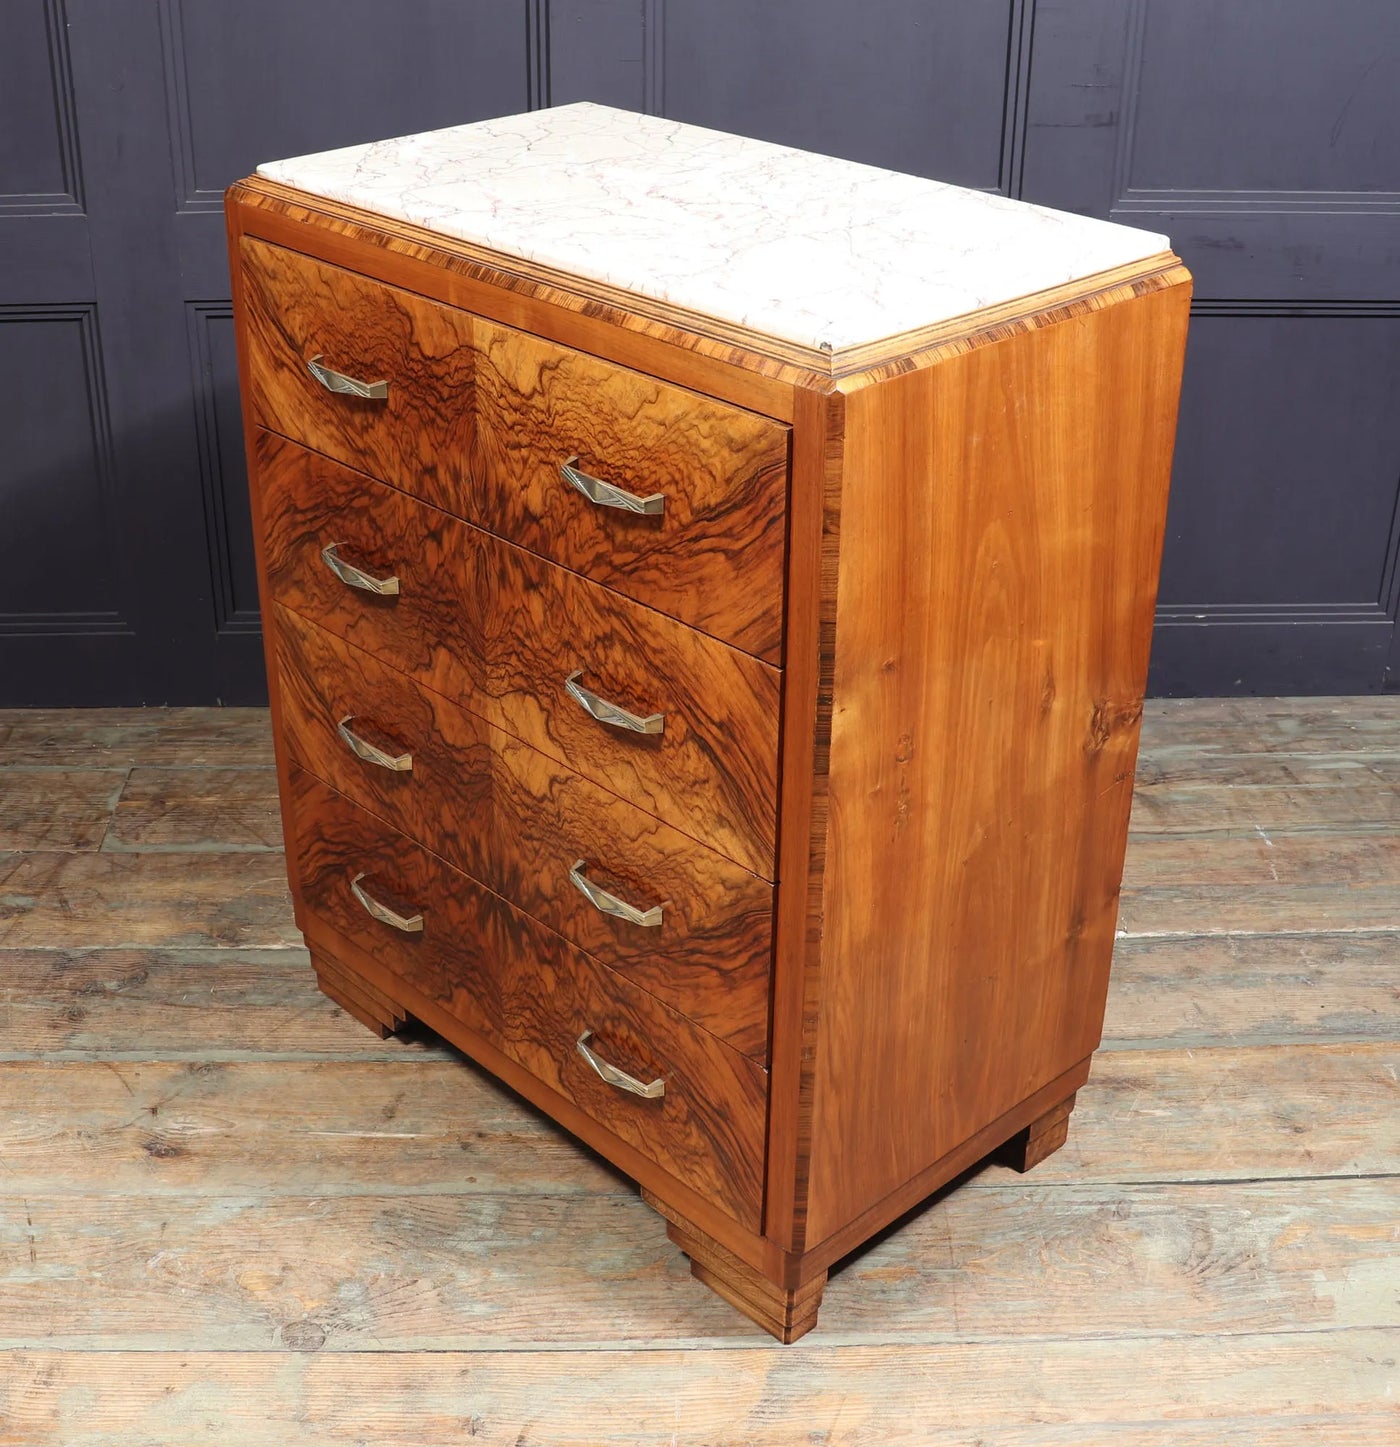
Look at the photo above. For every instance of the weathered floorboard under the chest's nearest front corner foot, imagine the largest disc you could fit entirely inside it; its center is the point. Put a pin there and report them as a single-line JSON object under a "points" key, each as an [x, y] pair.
{"points": [[420, 1273]]}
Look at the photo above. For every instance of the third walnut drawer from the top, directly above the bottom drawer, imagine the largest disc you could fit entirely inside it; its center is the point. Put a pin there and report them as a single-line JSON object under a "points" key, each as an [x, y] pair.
{"points": [[521, 824]]}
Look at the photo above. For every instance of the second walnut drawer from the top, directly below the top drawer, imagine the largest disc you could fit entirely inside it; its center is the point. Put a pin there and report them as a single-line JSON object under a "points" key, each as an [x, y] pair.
{"points": [[510, 636]]}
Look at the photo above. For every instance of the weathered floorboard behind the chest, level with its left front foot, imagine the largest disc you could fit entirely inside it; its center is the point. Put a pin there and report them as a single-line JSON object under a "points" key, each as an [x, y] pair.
{"points": [[215, 1005]]}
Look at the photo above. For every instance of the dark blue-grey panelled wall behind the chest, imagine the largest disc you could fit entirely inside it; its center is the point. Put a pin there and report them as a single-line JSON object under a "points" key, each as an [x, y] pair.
{"points": [[1262, 135]]}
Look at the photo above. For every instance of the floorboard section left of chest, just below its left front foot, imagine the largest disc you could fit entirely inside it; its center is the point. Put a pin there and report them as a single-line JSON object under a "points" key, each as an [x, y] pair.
{"points": [[281, 1128]]}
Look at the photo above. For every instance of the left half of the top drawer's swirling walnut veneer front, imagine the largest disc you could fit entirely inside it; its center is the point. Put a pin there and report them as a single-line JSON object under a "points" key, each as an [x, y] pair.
{"points": [[296, 309]]}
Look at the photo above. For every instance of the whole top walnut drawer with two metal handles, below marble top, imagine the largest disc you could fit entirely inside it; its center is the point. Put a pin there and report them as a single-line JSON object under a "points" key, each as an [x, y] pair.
{"points": [[666, 496]]}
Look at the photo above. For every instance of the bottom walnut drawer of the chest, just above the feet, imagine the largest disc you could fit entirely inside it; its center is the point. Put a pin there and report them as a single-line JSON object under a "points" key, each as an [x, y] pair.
{"points": [[533, 996]]}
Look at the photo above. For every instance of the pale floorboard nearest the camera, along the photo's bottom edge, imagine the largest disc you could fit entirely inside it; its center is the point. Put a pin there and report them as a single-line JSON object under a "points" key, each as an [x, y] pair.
{"points": [[1331, 1390]]}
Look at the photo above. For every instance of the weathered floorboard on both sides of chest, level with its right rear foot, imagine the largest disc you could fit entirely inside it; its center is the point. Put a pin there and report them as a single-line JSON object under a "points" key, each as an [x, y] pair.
{"points": [[417, 1125]]}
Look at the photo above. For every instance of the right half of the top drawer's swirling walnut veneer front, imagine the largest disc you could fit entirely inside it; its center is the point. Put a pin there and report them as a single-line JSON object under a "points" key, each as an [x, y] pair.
{"points": [[714, 559]]}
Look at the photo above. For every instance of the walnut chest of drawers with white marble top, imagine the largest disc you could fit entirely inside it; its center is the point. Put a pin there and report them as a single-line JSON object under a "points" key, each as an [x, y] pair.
{"points": [[708, 594]]}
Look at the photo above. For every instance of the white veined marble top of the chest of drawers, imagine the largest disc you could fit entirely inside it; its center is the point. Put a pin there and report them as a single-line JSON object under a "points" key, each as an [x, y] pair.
{"points": [[798, 247]]}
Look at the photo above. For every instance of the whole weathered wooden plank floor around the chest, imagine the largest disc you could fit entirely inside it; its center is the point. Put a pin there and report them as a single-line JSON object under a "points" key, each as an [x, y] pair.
{"points": [[229, 1215]]}
